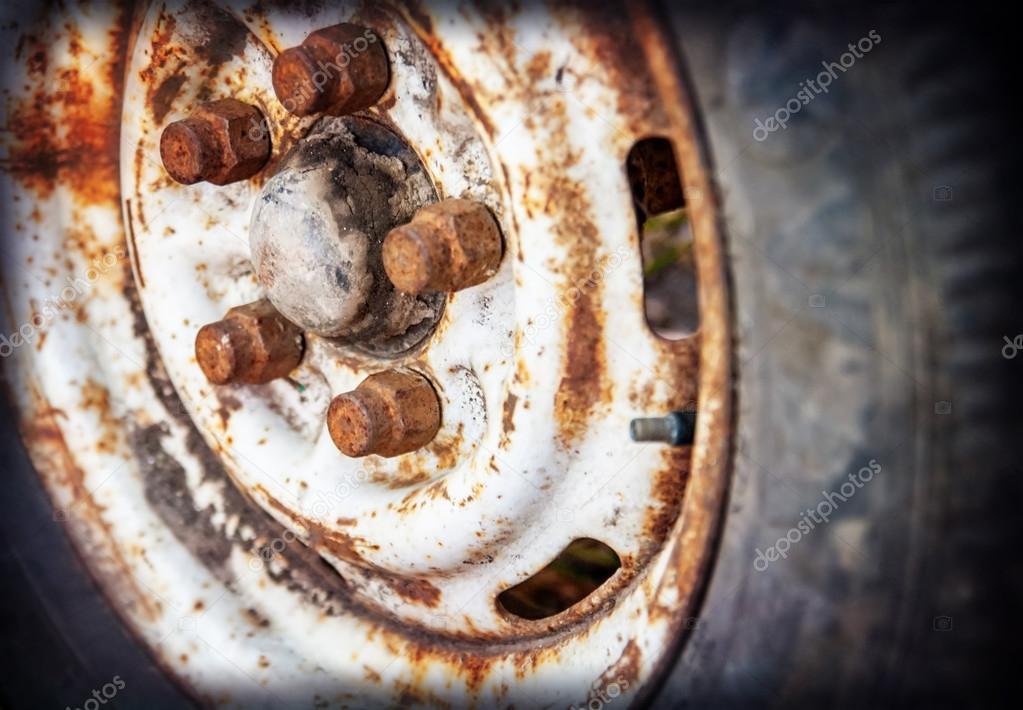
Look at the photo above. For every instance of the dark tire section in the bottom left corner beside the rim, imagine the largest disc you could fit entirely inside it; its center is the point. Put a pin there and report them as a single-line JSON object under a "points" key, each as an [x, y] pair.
{"points": [[61, 641]]}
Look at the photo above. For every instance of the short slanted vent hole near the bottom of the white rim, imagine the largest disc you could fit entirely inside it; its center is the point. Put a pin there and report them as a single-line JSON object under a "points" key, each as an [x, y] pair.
{"points": [[576, 573]]}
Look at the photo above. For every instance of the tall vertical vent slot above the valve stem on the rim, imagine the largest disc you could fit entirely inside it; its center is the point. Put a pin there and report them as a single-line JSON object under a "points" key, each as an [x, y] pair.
{"points": [[671, 300]]}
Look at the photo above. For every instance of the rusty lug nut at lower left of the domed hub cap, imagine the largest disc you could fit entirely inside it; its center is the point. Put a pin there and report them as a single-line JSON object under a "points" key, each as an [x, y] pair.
{"points": [[253, 345]]}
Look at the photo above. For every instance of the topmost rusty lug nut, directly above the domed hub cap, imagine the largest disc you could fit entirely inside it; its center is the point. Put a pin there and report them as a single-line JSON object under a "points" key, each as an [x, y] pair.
{"points": [[338, 70]]}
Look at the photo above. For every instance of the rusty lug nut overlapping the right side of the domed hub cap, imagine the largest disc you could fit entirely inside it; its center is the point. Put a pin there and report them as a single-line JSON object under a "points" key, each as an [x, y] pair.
{"points": [[450, 246]]}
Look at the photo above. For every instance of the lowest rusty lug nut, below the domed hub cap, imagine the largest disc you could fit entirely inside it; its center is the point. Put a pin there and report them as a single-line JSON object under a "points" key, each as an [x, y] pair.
{"points": [[389, 414]]}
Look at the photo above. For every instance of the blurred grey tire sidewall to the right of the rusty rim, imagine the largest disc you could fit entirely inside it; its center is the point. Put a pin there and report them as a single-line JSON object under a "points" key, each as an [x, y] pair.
{"points": [[871, 310]]}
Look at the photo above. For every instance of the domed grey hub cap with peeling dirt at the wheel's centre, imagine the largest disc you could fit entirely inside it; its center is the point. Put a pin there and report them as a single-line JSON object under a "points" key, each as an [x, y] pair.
{"points": [[318, 232]]}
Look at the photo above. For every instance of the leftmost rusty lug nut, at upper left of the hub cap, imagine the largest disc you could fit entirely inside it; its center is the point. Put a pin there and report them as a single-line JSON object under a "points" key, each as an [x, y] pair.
{"points": [[221, 143]]}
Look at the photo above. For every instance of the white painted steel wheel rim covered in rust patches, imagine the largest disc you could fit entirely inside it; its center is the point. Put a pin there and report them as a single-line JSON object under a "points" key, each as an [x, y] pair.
{"points": [[227, 498]]}
